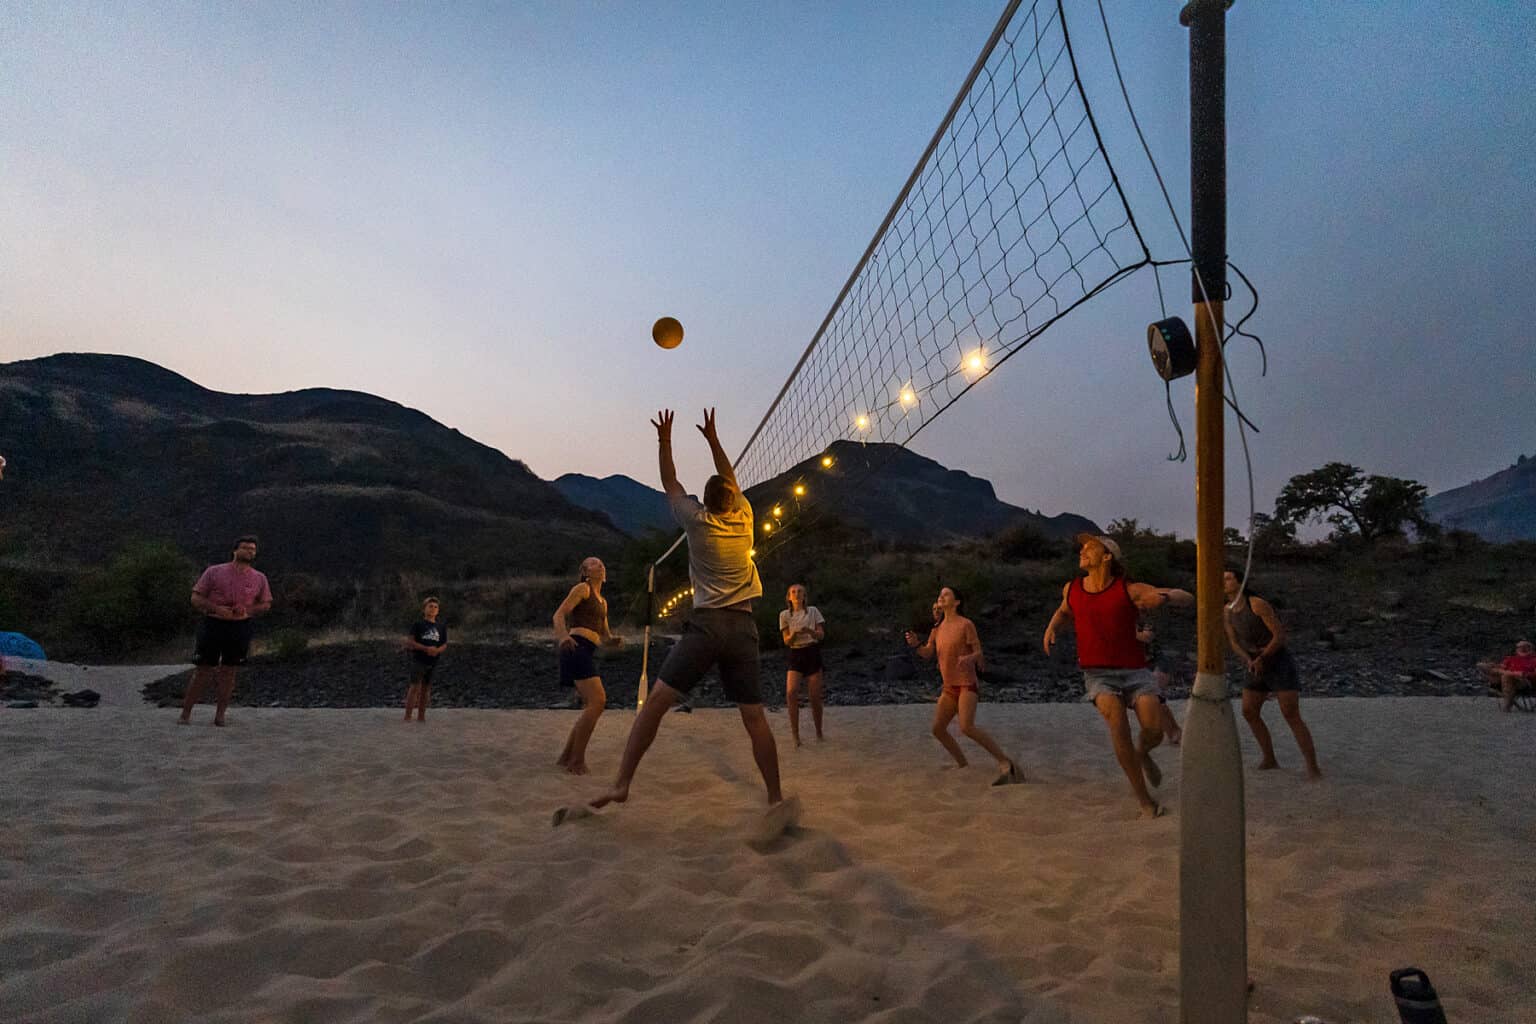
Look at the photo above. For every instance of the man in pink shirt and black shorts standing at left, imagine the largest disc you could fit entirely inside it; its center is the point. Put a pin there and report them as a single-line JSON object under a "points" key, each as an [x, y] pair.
{"points": [[230, 596]]}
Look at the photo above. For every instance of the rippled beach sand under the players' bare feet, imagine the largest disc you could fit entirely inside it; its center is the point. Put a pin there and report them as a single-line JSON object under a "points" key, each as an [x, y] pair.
{"points": [[343, 867]]}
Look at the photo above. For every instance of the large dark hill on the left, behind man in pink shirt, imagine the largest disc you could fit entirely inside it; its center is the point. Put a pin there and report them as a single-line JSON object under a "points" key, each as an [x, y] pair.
{"points": [[339, 484]]}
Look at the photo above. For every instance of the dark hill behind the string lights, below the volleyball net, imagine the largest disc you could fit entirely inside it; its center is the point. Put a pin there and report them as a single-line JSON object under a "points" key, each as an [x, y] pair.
{"points": [[898, 494]]}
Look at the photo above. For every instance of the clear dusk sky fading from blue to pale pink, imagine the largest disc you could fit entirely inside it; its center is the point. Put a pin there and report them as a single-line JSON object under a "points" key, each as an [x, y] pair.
{"points": [[478, 211]]}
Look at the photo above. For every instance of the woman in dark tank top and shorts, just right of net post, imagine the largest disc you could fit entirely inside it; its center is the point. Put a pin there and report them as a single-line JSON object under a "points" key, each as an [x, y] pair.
{"points": [[1259, 639]]}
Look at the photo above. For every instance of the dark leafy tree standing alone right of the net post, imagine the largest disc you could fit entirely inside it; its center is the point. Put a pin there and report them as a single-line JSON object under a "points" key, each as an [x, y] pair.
{"points": [[1339, 494]]}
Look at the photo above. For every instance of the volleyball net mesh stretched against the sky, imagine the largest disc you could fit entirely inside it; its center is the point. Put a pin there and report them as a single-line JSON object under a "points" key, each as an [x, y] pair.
{"points": [[1013, 219]]}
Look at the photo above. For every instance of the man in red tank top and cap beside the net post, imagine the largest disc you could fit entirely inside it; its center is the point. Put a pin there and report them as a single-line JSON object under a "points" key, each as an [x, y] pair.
{"points": [[1104, 607]]}
